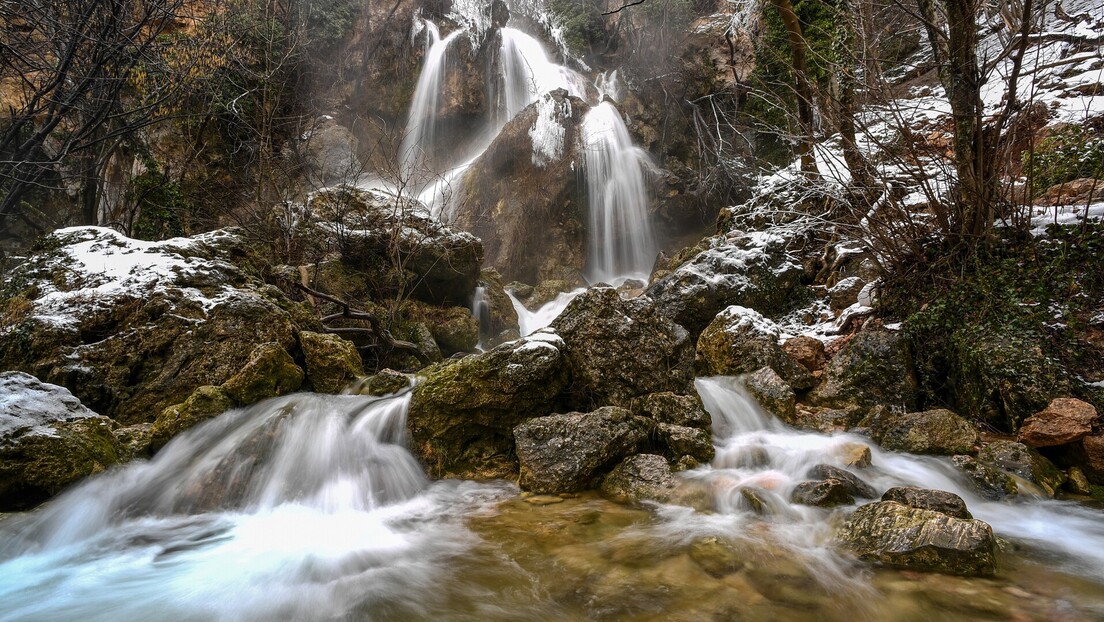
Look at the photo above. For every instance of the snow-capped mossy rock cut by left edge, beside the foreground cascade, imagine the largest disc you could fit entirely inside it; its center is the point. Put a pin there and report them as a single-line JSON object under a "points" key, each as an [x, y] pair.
{"points": [[48, 441]]}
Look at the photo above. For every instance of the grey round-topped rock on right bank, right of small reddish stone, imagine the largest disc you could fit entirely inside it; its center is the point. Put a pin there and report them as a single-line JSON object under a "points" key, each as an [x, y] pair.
{"points": [[874, 368]]}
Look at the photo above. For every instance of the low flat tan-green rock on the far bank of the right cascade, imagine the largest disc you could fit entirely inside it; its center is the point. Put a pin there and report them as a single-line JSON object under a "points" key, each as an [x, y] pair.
{"points": [[938, 431]]}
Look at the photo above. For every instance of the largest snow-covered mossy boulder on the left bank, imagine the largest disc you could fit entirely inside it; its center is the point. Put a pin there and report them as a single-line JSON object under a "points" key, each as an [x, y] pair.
{"points": [[134, 328]]}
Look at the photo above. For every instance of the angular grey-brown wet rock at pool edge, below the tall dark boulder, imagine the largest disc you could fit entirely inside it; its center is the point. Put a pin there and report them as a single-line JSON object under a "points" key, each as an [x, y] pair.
{"points": [[566, 454]]}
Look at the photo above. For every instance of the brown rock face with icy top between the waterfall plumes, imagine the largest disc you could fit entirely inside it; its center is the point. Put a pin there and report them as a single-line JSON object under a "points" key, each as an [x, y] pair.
{"points": [[523, 199]]}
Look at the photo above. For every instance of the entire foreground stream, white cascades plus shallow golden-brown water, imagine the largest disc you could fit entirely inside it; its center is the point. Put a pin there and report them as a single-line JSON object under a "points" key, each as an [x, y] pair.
{"points": [[310, 508]]}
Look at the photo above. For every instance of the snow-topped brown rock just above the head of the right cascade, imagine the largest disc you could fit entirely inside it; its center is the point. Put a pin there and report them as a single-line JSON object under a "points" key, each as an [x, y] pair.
{"points": [[740, 341]]}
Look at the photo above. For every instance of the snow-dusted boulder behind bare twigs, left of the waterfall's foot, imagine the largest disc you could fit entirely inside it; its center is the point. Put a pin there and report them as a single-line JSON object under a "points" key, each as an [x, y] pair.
{"points": [[397, 244]]}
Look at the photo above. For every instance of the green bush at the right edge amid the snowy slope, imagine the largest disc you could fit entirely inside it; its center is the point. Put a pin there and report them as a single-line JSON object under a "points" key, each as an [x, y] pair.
{"points": [[1073, 152]]}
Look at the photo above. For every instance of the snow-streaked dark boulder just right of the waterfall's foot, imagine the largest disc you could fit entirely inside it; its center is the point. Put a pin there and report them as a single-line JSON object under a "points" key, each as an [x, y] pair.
{"points": [[752, 271]]}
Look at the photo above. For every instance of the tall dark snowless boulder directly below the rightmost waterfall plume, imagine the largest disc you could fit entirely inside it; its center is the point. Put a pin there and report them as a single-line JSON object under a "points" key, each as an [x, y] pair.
{"points": [[619, 350]]}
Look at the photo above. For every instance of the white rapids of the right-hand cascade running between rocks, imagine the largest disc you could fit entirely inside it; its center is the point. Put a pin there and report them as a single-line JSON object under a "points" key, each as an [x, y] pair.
{"points": [[756, 450]]}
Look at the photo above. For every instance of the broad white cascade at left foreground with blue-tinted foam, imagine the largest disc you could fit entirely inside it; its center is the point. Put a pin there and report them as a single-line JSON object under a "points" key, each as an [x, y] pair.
{"points": [[300, 508]]}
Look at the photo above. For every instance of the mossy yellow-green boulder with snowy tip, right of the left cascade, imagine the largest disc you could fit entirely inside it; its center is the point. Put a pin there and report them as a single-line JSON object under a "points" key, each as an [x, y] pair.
{"points": [[463, 413]]}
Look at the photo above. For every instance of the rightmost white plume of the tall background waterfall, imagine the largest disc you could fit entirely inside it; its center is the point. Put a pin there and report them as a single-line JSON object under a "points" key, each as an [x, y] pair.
{"points": [[622, 244]]}
